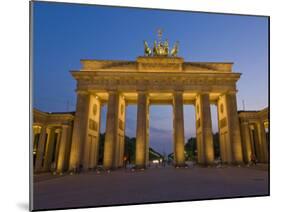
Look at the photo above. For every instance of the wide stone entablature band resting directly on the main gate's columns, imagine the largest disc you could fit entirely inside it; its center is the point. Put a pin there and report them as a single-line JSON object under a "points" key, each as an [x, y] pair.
{"points": [[156, 81]]}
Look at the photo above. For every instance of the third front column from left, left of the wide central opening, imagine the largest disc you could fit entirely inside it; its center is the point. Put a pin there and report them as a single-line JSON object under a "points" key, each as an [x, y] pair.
{"points": [[141, 134]]}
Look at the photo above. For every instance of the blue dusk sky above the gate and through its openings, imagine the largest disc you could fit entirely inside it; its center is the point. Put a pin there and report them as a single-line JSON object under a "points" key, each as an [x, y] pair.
{"points": [[65, 33]]}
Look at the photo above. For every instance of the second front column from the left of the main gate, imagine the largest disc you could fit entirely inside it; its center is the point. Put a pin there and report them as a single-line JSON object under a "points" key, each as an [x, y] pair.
{"points": [[111, 131]]}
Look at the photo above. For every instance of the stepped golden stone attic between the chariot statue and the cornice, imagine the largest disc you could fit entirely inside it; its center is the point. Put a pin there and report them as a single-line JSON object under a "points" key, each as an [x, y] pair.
{"points": [[155, 64]]}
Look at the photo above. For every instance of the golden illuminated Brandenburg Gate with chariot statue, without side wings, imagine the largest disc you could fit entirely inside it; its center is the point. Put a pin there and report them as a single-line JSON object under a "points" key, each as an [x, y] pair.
{"points": [[158, 77]]}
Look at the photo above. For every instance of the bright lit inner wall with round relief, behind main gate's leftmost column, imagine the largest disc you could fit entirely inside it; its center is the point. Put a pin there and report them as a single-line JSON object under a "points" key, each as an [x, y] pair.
{"points": [[90, 153]]}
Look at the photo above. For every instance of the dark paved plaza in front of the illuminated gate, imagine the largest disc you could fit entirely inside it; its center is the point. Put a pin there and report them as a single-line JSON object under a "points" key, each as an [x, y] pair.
{"points": [[150, 185]]}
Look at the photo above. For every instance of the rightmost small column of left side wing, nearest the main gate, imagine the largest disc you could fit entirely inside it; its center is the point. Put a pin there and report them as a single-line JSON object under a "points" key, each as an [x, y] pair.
{"points": [[64, 140]]}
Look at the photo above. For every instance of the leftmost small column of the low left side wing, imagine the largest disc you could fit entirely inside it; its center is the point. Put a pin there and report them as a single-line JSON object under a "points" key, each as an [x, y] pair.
{"points": [[40, 149]]}
